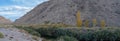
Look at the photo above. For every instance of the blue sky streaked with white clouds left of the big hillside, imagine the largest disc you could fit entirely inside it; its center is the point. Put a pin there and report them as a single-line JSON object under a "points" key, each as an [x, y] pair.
{"points": [[14, 9]]}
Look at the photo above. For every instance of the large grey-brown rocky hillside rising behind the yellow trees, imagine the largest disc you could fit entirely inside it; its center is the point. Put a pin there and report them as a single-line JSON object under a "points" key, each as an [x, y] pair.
{"points": [[65, 11]]}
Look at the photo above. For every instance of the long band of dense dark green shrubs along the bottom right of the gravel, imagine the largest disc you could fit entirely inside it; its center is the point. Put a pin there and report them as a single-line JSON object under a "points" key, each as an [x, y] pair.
{"points": [[78, 34]]}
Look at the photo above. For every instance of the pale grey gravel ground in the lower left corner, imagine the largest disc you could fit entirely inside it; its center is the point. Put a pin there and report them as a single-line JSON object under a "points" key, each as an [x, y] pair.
{"points": [[13, 34]]}
